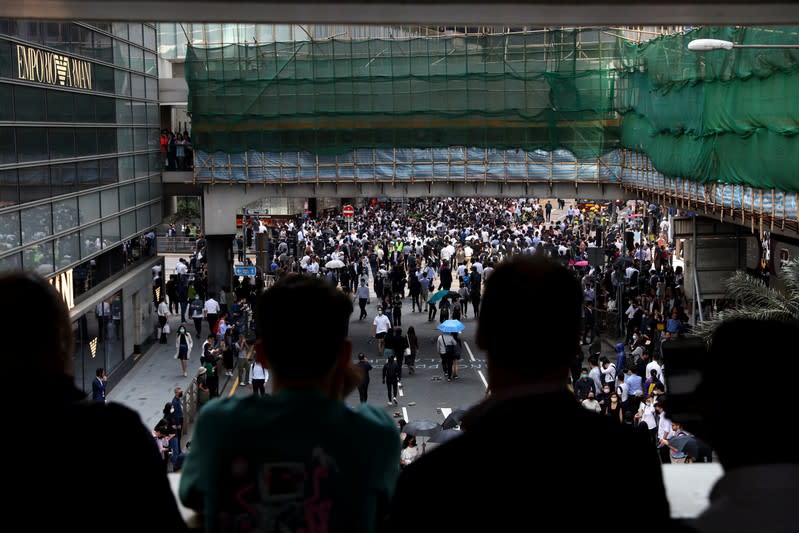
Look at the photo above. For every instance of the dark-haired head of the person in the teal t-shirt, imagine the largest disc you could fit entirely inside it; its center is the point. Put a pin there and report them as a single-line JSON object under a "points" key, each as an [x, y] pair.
{"points": [[280, 324]]}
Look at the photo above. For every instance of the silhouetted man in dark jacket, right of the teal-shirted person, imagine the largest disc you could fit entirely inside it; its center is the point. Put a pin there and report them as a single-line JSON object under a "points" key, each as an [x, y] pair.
{"points": [[522, 483]]}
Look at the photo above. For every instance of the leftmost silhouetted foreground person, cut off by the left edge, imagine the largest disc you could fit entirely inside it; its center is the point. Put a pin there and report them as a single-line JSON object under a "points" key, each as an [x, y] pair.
{"points": [[96, 465]]}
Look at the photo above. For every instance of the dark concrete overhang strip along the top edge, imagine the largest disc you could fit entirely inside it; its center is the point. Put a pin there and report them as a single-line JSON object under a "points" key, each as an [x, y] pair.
{"points": [[445, 12]]}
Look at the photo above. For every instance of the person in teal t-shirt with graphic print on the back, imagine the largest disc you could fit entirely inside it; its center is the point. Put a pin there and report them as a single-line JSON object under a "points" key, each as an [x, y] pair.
{"points": [[300, 459]]}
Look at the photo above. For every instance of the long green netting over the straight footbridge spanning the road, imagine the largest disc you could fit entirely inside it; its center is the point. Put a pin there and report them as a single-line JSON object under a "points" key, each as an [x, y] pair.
{"points": [[540, 90]]}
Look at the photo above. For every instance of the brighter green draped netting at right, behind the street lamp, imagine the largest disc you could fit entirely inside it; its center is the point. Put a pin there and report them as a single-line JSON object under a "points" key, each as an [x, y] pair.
{"points": [[725, 115]]}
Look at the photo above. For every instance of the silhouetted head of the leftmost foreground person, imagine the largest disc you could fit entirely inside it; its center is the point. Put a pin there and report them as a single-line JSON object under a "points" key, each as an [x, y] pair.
{"points": [[35, 311]]}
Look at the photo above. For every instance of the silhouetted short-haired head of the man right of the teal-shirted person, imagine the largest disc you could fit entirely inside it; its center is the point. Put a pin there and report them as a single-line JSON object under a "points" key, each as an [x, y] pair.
{"points": [[503, 328]]}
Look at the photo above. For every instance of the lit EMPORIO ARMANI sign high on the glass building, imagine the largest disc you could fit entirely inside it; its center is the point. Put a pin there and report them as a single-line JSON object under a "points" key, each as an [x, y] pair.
{"points": [[43, 66]]}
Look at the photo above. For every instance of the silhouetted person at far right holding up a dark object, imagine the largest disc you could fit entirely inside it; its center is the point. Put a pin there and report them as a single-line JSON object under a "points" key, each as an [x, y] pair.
{"points": [[760, 487]]}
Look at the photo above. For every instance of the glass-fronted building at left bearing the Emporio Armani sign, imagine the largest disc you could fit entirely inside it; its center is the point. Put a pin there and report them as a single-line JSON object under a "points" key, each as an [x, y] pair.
{"points": [[80, 181]]}
